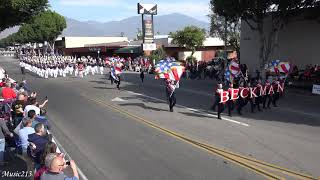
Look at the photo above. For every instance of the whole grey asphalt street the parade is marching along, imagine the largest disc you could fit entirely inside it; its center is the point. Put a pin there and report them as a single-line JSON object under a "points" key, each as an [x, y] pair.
{"points": [[108, 144]]}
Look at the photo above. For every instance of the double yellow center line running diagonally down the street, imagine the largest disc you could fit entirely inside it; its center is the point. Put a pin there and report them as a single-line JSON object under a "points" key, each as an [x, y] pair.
{"points": [[243, 161]]}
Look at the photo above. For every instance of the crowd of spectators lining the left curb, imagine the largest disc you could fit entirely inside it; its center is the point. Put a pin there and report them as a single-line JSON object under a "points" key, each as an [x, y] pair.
{"points": [[24, 128]]}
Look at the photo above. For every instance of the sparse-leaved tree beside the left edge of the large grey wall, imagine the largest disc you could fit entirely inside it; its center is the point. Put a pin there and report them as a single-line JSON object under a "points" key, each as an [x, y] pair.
{"points": [[229, 31]]}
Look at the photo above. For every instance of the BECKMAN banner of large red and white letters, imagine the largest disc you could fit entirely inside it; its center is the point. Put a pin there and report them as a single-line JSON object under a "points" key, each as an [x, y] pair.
{"points": [[250, 92]]}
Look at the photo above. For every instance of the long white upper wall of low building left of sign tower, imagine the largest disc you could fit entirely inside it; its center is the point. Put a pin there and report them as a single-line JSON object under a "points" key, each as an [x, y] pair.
{"points": [[75, 42]]}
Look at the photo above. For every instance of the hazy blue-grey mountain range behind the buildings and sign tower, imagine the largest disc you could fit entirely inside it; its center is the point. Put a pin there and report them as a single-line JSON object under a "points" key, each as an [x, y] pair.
{"points": [[162, 24]]}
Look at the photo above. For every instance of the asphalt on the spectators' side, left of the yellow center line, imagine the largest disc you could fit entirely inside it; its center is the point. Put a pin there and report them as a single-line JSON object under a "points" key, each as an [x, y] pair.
{"points": [[108, 145]]}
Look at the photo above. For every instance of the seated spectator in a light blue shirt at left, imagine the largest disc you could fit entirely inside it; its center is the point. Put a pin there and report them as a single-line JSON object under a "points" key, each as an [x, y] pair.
{"points": [[24, 133]]}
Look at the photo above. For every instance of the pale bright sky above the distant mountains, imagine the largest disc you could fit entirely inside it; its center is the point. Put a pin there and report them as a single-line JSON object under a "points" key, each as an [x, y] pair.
{"points": [[114, 10]]}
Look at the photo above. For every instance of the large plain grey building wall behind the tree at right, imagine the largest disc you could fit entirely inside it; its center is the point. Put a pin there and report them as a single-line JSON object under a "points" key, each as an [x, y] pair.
{"points": [[298, 43]]}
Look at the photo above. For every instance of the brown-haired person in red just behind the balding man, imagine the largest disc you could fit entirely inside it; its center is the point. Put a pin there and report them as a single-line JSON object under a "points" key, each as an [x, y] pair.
{"points": [[48, 154]]}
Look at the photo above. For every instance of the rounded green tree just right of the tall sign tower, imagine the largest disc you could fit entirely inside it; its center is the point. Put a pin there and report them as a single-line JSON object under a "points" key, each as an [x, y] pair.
{"points": [[191, 38]]}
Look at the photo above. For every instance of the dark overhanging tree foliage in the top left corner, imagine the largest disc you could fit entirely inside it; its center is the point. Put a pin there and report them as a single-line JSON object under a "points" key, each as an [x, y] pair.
{"points": [[15, 12]]}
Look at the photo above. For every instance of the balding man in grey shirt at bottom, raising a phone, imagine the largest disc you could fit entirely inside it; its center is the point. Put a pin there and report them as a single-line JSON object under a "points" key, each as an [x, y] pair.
{"points": [[56, 167]]}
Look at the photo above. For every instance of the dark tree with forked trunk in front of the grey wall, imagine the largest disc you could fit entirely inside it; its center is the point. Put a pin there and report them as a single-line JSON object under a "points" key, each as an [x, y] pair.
{"points": [[255, 12]]}
